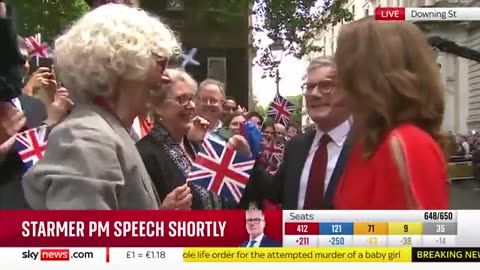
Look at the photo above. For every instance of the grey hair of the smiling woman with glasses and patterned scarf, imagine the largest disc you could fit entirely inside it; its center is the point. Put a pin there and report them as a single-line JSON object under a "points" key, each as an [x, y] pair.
{"points": [[176, 75]]}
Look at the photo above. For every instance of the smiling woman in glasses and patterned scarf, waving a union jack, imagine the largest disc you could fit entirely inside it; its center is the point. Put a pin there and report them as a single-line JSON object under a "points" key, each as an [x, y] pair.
{"points": [[168, 151]]}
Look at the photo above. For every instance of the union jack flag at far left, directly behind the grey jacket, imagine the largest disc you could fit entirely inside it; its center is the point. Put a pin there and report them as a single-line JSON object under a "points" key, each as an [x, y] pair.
{"points": [[31, 145]]}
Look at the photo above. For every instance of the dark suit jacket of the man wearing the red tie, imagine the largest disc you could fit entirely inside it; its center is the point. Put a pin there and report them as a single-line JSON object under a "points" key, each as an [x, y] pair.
{"points": [[283, 187]]}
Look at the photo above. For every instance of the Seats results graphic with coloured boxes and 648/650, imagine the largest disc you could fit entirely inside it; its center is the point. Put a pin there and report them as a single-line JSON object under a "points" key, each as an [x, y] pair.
{"points": [[381, 228]]}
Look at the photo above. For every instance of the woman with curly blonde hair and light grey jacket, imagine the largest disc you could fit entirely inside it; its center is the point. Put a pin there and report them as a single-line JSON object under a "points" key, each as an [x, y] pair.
{"points": [[109, 60]]}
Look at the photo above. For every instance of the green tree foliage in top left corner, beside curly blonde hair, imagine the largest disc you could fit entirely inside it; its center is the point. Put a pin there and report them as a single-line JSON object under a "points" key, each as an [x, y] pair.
{"points": [[48, 17]]}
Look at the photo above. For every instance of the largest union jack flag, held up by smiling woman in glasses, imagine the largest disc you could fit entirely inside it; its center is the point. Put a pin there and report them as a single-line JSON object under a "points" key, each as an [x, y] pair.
{"points": [[220, 169]]}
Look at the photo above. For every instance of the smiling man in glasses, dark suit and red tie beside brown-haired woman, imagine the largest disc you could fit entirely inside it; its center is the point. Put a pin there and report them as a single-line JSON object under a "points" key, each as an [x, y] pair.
{"points": [[313, 162]]}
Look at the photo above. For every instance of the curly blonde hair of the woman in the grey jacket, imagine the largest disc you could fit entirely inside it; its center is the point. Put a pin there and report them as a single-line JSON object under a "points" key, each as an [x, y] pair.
{"points": [[113, 41]]}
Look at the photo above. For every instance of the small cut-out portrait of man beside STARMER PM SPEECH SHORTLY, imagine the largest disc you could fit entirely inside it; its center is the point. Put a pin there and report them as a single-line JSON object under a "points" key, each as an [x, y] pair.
{"points": [[255, 227]]}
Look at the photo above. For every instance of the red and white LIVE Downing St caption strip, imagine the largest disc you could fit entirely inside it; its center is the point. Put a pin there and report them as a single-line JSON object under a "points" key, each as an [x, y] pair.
{"points": [[419, 14]]}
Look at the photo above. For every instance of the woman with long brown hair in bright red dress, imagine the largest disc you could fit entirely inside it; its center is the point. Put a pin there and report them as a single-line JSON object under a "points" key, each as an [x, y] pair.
{"points": [[396, 95]]}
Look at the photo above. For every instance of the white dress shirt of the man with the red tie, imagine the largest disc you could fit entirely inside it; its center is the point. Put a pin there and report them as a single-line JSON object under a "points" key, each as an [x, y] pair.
{"points": [[334, 148]]}
